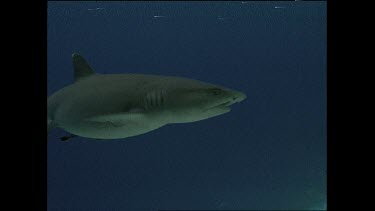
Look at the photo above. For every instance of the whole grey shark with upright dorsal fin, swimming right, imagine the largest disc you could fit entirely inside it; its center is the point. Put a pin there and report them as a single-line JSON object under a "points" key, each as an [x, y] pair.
{"points": [[115, 106]]}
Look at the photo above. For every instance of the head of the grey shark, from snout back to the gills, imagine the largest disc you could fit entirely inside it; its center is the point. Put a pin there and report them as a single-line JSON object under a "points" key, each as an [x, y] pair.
{"points": [[195, 104]]}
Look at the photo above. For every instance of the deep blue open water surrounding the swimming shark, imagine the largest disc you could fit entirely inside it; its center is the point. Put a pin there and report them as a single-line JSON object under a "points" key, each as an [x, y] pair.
{"points": [[269, 152]]}
